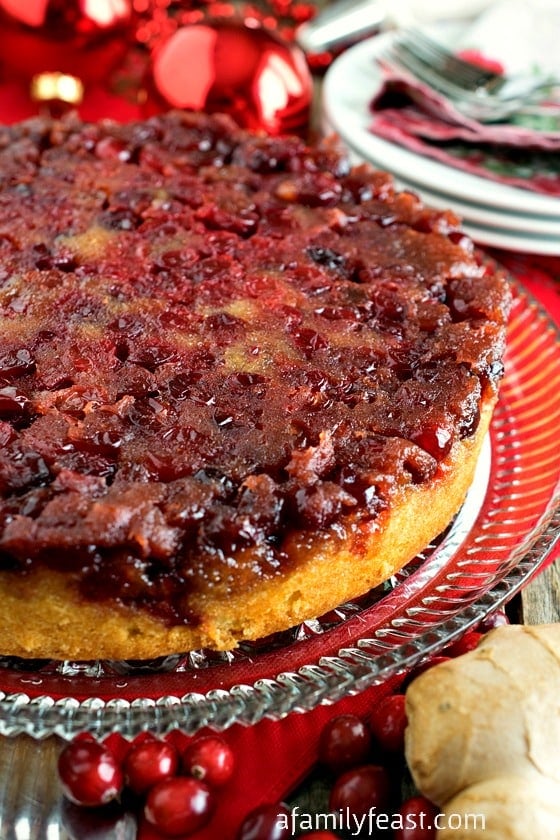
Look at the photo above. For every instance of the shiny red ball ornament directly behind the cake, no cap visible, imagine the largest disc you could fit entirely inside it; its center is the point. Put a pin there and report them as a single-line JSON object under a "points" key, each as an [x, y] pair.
{"points": [[236, 67]]}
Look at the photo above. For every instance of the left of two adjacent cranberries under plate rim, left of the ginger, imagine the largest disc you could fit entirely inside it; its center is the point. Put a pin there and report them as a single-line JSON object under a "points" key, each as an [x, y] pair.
{"points": [[345, 742]]}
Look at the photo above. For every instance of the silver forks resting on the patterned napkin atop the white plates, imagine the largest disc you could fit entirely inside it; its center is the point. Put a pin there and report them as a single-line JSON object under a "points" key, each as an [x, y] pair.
{"points": [[478, 93]]}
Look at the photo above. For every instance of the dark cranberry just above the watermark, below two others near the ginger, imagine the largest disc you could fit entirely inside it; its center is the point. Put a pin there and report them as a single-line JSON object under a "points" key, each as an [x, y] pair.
{"points": [[360, 789]]}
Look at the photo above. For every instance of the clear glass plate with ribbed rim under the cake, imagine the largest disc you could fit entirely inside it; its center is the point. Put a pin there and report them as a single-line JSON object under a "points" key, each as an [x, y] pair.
{"points": [[505, 531]]}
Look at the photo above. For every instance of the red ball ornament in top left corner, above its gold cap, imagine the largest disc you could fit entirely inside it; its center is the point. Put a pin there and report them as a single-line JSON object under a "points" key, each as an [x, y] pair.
{"points": [[81, 38]]}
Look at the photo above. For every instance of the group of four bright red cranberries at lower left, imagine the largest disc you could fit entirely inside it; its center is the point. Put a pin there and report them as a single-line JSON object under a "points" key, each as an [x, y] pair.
{"points": [[177, 790]]}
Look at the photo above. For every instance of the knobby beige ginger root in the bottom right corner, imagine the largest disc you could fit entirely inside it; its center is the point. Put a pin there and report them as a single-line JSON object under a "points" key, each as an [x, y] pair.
{"points": [[483, 736]]}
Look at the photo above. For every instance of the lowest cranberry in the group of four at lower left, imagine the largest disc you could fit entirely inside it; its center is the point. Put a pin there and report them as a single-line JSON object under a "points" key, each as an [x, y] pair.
{"points": [[179, 806]]}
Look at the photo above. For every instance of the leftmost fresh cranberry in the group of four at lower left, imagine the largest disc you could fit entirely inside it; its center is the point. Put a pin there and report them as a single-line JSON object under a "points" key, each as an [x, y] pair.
{"points": [[89, 773]]}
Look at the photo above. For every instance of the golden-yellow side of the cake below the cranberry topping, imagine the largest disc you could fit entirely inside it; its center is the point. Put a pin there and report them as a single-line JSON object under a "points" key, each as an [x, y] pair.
{"points": [[44, 615]]}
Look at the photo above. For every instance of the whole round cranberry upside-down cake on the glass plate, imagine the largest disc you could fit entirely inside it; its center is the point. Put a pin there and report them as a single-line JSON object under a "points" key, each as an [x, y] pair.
{"points": [[240, 383]]}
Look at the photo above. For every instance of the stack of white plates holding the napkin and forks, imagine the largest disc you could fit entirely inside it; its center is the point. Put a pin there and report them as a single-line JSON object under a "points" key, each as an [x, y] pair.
{"points": [[493, 213]]}
